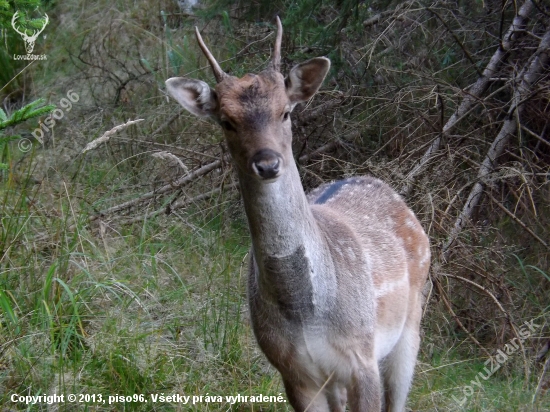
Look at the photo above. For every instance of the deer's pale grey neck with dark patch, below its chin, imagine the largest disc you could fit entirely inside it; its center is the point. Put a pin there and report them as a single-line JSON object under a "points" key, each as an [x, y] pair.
{"points": [[288, 248]]}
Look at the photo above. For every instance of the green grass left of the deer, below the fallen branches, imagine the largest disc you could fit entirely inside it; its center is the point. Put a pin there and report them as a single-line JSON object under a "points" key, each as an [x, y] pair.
{"points": [[145, 311]]}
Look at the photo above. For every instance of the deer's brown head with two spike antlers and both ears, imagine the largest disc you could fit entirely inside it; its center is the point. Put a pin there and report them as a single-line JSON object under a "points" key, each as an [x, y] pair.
{"points": [[253, 111]]}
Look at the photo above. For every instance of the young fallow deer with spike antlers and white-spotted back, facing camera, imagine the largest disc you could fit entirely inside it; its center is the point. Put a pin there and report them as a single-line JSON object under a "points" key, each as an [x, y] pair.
{"points": [[335, 276]]}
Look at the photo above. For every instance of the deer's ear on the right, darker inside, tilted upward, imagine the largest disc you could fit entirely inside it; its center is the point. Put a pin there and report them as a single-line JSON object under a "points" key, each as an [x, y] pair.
{"points": [[304, 80]]}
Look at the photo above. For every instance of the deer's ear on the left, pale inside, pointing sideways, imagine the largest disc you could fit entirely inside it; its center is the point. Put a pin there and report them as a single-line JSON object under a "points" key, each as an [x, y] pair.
{"points": [[194, 95]]}
